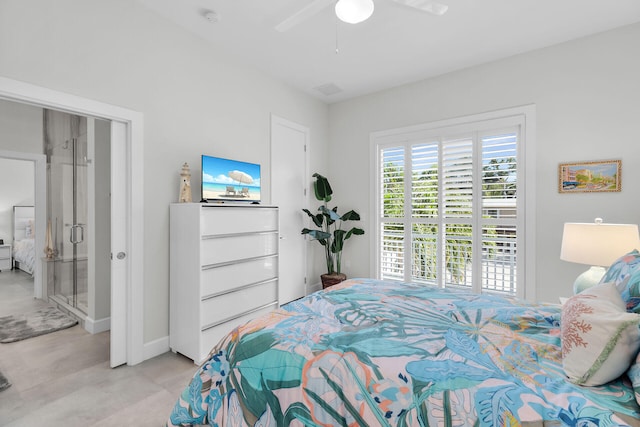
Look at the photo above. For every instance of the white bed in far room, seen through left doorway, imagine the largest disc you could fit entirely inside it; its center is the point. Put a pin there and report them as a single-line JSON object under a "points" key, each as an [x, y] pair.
{"points": [[24, 238]]}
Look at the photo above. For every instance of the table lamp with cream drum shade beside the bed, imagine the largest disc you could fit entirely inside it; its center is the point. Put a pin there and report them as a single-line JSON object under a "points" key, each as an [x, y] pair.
{"points": [[596, 244]]}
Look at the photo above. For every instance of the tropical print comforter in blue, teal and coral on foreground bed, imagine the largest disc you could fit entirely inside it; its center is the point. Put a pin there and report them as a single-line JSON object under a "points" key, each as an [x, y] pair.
{"points": [[373, 353]]}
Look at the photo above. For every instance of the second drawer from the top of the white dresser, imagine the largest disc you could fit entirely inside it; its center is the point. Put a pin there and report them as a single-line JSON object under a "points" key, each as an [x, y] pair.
{"points": [[237, 248]]}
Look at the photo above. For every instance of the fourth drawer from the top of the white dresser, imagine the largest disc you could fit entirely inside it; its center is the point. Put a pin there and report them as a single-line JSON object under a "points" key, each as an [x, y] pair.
{"points": [[228, 306]]}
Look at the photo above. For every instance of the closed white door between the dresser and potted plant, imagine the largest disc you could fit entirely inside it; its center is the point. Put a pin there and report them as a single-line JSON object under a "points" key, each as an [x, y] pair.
{"points": [[288, 180]]}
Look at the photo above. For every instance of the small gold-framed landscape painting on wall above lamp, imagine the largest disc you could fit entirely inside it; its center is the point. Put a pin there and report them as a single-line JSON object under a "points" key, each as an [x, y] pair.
{"points": [[590, 177]]}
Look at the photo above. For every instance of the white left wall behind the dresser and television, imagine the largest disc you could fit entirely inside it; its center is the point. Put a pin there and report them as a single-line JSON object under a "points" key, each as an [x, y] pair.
{"points": [[195, 99]]}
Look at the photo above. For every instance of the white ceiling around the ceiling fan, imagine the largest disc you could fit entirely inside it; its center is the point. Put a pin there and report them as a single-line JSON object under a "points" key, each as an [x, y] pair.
{"points": [[396, 45]]}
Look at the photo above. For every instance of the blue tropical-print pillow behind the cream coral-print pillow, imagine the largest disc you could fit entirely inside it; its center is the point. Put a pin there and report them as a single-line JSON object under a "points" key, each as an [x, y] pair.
{"points": [[625, 272]]}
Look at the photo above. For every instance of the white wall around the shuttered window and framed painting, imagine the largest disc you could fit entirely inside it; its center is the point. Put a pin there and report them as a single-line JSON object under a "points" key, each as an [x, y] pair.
{"points": [[587, 96]]}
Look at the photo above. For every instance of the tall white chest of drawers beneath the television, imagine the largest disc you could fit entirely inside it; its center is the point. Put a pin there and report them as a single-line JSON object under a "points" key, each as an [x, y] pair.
{"points": [[223, 271]]}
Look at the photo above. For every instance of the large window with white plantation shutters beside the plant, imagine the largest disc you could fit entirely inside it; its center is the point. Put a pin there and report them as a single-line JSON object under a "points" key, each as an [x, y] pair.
{"points": [[450, 204]]}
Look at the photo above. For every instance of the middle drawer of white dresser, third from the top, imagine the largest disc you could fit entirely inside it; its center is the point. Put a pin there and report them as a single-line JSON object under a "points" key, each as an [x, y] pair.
{"points": [[231, 276]]}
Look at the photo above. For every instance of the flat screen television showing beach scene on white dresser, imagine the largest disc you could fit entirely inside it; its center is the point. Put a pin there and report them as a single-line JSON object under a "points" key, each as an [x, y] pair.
{"points": [[229, 180]]}
